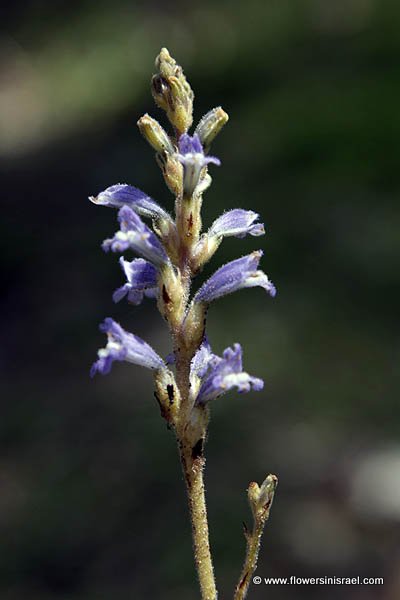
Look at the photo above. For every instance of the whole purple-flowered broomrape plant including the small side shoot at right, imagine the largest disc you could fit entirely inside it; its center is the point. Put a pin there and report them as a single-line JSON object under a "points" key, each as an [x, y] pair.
{"points": [[172, 252]]}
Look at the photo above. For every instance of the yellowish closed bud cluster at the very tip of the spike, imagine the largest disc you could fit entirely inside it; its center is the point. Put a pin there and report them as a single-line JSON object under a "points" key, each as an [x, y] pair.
{"points": [[172, 92]]}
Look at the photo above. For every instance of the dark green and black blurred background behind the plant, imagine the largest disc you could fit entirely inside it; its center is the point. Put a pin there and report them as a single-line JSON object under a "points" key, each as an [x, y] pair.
{"points": [[92, 503]]}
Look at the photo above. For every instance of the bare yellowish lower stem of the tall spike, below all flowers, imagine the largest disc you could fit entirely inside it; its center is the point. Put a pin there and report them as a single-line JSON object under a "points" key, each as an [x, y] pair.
{"points": [[193, 472]]}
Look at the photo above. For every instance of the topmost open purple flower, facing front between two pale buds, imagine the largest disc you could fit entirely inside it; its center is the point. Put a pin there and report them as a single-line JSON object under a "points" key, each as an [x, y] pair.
{"points": [[193, 159]]}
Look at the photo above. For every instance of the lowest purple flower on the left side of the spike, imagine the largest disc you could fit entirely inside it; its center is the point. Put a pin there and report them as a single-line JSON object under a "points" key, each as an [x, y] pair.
{"points": [[124, 346]]}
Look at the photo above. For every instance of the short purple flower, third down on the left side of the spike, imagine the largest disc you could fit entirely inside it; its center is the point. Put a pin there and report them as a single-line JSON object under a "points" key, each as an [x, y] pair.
{"points": [[142, 281]]}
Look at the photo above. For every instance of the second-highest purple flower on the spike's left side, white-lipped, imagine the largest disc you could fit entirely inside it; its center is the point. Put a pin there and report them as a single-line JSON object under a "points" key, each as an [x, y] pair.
{"points": [[136, 235]]}
